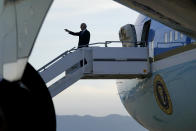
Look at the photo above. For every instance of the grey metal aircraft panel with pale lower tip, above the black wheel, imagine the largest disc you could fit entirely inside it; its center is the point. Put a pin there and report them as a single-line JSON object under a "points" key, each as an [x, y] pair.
{"points": [[19, 26]]}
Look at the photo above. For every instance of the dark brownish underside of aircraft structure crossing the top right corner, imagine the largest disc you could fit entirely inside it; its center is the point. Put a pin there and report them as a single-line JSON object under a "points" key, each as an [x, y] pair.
{"points": [[177, 14]]}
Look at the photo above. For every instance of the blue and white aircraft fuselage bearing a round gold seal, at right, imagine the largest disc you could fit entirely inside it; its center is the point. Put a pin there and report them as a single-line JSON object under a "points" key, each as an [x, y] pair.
{"points": [[164, 101]]}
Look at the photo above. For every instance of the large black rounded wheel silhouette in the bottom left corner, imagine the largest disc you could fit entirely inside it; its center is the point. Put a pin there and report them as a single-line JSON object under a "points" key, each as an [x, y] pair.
{"points": [[26, 105]]}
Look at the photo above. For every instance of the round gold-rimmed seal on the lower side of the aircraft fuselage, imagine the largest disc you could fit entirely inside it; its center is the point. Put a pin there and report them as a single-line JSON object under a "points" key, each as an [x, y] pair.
{"points": [[162, 95]]}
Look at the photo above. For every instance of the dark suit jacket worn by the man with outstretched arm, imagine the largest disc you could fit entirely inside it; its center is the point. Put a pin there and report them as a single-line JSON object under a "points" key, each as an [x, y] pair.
{"points": [[84, 38]]}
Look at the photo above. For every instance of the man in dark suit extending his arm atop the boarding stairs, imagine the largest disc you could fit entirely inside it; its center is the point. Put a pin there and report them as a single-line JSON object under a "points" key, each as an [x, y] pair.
{"points": [[84, 35]]}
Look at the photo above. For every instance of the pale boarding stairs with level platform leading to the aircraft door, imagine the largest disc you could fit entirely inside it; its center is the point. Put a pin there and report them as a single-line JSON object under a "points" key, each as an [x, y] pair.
{"points": [[95, 63]]}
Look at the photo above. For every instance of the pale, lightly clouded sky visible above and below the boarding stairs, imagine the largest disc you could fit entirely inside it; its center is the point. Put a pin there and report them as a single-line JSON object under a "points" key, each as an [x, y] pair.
{"points": [[104, 19]]}
